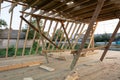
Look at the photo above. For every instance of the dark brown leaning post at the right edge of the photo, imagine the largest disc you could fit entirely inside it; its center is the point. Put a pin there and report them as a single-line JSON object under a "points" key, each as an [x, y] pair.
{"points": [[110, 41]]}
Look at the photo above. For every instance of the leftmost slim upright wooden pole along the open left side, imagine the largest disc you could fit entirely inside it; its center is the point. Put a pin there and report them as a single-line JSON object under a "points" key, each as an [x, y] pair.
{"points": [[9, 32]]}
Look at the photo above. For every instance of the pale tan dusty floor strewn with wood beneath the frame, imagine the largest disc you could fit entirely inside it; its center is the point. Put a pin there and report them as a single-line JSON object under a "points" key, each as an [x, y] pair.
{"points": [[88, 68]]}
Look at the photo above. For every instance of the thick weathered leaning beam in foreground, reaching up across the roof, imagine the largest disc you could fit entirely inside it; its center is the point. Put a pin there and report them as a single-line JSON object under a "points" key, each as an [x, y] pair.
{"points": [[94, 18]]}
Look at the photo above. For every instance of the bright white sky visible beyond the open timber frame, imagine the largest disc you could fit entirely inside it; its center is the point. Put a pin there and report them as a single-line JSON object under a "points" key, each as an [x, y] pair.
{"points": [[103, 27]]}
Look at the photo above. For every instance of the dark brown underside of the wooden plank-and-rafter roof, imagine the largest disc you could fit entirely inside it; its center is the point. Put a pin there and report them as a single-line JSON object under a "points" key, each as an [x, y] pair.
{"points": [[78, 10]]}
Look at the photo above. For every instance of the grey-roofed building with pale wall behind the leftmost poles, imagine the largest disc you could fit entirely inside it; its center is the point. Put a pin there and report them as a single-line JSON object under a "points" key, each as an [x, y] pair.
{"points": [[13, 38]]}
